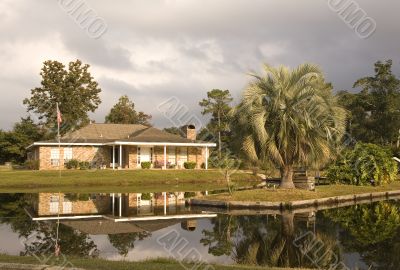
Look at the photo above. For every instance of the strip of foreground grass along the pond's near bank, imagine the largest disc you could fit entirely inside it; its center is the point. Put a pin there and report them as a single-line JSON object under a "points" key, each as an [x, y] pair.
{"points": [[160, 264]]}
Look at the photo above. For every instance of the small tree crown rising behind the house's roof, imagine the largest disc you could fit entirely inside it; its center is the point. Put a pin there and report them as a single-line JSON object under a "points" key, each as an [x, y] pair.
{"points": [[124, 113]]}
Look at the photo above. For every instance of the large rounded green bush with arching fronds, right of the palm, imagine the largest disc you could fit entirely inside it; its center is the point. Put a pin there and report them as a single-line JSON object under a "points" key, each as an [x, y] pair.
{"points": [[366, 164]]}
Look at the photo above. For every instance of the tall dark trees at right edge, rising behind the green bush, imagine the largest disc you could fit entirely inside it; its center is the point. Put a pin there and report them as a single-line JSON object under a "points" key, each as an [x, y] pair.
{"points": [[374, 112]]}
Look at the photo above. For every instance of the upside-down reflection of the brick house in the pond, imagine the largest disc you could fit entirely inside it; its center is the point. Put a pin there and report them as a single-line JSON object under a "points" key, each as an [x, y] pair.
{"points": [[99, 213]]}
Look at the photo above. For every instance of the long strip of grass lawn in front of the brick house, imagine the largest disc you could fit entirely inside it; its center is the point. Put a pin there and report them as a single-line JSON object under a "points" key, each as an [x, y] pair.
{"points": [[114, 181]]}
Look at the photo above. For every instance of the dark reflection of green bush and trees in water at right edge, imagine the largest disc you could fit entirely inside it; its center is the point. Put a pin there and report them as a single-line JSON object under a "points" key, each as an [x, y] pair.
{"points": [[371, 230]]}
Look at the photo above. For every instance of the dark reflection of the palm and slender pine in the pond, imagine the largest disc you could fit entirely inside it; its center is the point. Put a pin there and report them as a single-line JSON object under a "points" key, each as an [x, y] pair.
{"points": [[264, 240]]}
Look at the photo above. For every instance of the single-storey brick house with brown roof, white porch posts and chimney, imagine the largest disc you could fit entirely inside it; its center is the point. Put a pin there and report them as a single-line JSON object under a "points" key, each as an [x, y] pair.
{"points": [[122, 146]]}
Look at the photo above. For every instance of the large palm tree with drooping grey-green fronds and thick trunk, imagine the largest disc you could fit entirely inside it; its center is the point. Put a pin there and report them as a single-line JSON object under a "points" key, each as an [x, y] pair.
{"points": [[291, 118]]}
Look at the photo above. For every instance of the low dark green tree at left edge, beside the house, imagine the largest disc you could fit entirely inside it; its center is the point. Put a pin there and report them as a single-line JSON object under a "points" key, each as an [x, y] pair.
{"points": [[13, 143]]}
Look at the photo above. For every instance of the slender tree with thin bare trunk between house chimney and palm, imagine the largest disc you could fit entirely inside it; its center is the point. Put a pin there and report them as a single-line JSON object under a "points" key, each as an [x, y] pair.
{"points": [[218, 105]]}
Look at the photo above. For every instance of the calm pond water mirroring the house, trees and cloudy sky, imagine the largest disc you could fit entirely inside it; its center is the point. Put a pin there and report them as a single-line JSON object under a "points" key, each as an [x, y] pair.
{"points": [[141, 226]]}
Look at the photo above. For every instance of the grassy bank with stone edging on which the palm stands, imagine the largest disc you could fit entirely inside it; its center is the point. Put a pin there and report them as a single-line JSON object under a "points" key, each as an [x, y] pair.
{"points": [[281, 195]]}
